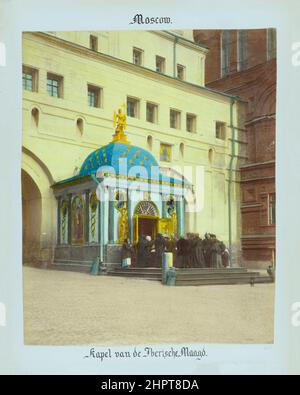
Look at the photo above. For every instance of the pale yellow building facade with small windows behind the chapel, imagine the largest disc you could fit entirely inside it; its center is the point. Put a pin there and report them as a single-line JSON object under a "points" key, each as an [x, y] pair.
{"points": [[72, 84]]}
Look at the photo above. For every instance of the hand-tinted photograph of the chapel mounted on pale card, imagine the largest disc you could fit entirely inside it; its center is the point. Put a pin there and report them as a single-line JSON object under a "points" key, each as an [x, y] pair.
{"points": [[148, 187]]}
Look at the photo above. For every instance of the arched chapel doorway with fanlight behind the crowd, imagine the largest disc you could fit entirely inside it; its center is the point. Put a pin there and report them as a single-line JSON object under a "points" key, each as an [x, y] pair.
{"points": [[146, 218]]}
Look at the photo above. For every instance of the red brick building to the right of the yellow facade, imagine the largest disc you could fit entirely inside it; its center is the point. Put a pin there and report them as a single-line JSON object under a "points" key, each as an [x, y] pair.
{"points": [[243, 63]]}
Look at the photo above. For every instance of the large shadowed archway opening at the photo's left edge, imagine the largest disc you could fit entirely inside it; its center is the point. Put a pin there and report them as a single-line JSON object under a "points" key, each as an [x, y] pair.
{"points": [[32, 212]]}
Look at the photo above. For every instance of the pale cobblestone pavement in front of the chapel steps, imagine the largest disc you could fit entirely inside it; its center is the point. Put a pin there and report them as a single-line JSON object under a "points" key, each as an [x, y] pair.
{"points": [[64, 308]]}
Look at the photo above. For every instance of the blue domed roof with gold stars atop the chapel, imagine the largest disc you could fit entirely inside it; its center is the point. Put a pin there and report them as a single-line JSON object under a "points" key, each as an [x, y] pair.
{"points": [[115, 155]]}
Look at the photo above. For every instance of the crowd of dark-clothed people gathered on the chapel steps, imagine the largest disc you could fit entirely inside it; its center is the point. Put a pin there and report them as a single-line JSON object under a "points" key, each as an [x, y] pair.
{"points": [[190, 251]]}
